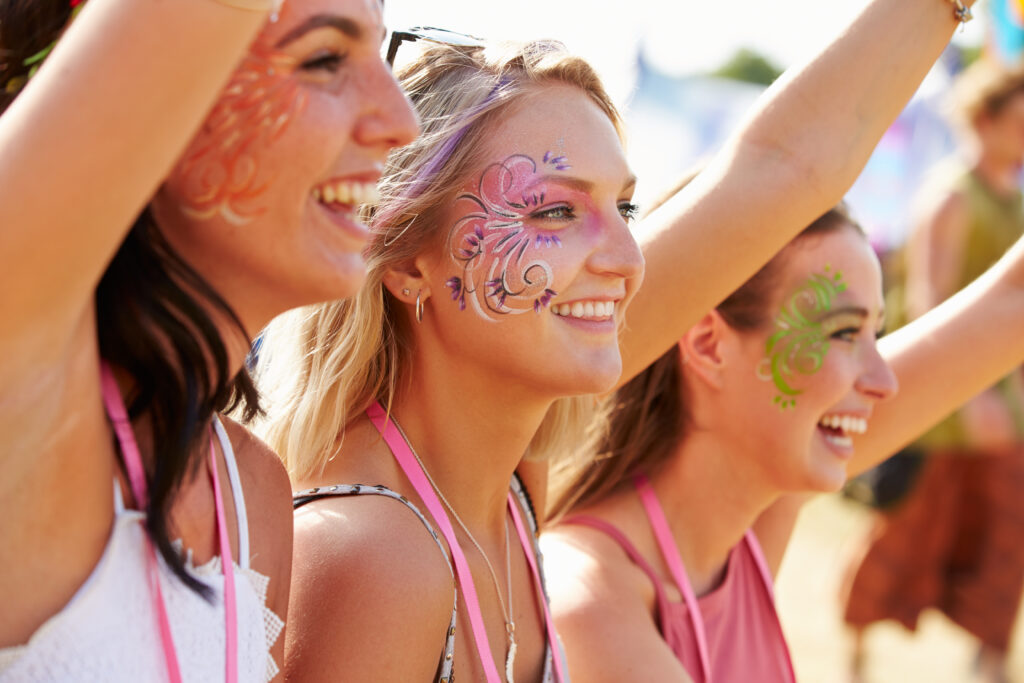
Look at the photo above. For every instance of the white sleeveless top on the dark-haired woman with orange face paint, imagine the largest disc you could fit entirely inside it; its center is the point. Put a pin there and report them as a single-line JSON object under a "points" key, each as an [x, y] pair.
{"points": [[107, 631]]}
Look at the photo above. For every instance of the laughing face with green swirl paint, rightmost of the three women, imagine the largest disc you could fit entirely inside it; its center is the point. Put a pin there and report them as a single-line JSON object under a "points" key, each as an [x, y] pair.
{"points": [[809, 380]]}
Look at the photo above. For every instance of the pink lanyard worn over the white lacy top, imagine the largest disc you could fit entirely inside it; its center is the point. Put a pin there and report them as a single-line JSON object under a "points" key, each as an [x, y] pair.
{"points": [[137, 479]]}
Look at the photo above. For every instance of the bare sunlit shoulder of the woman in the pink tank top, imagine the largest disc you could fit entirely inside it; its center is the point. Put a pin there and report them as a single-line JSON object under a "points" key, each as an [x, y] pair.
{"points": [[604, 608]]}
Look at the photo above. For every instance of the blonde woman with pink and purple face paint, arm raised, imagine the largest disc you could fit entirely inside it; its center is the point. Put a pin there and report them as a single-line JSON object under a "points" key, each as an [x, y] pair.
{"points": [[499, 272]]}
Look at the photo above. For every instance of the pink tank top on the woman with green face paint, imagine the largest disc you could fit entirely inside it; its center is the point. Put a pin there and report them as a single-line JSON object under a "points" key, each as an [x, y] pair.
{"points": [[734, 633]]}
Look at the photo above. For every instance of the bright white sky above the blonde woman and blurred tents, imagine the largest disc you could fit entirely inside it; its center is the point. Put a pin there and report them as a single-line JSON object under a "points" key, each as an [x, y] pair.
{"points": [[680, 36]]}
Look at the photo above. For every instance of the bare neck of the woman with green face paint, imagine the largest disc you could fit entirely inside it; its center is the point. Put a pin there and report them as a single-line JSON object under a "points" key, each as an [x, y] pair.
{"points": [[723, 499]]}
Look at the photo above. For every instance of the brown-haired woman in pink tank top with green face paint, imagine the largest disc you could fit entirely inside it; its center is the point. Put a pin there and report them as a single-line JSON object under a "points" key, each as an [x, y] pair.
{"points": [[670, 533]]}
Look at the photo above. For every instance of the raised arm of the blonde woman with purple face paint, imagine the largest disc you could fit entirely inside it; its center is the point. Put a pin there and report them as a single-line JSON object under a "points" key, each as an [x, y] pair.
{"points": [[802, 149]]}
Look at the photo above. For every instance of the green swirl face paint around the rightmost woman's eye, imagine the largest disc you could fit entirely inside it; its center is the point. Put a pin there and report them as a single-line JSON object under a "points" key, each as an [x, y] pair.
{"points": [[800, 344]]}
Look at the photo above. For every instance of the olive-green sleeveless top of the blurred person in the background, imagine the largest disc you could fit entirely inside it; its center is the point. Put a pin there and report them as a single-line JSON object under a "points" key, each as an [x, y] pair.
{"points": [[995, 224]]}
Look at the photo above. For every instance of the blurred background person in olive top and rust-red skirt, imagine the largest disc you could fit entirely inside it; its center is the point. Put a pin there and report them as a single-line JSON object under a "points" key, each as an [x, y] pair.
{"points": [[955, 542]]}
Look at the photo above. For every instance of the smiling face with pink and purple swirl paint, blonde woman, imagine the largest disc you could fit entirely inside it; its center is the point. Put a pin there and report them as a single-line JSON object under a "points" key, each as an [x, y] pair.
{"points": [[538, 261]]}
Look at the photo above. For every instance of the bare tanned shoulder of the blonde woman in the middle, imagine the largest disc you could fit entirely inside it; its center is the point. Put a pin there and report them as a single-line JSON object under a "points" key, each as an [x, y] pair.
{"points": [[368, 581]]}
